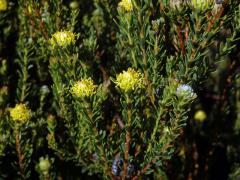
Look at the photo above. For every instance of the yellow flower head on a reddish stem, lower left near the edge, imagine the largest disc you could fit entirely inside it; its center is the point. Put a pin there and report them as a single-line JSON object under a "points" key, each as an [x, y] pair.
{"points": [[20, 113]]}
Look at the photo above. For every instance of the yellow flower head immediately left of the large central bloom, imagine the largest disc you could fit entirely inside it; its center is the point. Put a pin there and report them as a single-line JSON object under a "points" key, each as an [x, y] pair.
{"points": [[84, 88]]}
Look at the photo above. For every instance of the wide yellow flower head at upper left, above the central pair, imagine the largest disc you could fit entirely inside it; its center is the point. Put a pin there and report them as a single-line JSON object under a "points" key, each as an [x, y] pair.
{"points": [[62, 38]]}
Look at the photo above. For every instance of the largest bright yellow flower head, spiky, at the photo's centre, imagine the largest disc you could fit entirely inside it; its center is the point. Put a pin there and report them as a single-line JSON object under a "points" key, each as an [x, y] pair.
{"points": [[129, 80]]}
